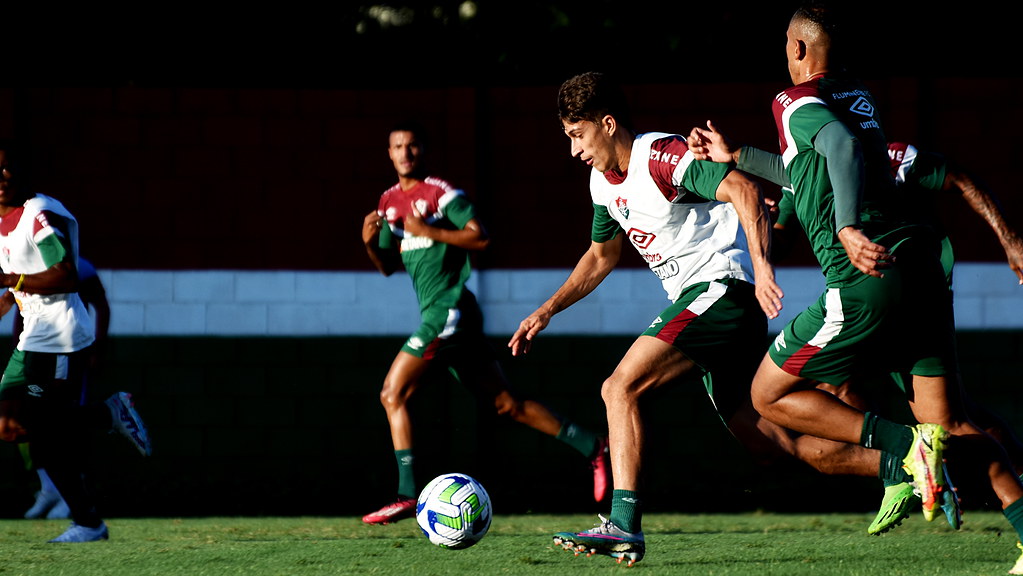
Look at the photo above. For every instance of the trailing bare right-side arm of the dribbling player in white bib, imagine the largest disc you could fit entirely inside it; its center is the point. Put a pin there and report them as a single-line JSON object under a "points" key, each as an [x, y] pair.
{"points": [[747, 197]]}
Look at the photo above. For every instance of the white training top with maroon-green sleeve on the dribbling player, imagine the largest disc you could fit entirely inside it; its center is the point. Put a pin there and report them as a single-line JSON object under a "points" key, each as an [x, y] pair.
{"points": [[684, 239]]}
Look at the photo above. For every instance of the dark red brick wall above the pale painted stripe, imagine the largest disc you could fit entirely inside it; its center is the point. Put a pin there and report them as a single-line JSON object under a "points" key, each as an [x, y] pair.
{"points": [[281, 180]]}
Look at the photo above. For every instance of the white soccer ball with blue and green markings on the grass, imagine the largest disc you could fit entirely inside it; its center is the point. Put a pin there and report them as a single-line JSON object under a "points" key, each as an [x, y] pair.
{"points": [[454, 511]]}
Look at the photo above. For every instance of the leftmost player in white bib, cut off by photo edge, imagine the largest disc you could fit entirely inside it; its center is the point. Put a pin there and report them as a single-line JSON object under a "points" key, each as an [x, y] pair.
{"points": [[41, 386]]}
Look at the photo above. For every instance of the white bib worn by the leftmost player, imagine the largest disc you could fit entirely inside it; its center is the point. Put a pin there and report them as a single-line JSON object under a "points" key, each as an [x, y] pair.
{"points": [[56, 324]]}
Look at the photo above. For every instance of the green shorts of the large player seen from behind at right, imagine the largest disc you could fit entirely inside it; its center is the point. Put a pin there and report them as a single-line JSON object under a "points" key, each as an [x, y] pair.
{"points": [[900, 324]]}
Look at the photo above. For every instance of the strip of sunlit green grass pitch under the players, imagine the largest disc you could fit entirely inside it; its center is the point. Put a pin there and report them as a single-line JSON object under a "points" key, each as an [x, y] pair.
{"points": [[761, 545]]}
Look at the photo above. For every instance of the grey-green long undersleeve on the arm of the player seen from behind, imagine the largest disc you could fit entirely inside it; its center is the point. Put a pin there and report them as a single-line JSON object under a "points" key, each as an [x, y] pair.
{"points": [[846, 169]]}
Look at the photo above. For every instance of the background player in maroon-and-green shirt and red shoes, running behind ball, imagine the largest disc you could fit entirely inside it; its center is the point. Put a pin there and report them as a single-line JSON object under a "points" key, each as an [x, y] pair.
{"points": [[428, 226]]}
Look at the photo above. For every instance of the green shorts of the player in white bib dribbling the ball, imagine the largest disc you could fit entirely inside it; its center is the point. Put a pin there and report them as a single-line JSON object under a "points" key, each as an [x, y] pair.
{"points": [[721, 327]]}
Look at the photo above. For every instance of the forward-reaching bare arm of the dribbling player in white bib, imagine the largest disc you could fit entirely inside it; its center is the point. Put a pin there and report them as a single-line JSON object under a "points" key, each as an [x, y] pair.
{"points": [[595, 265]]}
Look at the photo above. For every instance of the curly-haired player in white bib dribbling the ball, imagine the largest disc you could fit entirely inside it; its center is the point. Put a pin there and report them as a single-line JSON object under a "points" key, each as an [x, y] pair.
{"points": [[705, 233]]}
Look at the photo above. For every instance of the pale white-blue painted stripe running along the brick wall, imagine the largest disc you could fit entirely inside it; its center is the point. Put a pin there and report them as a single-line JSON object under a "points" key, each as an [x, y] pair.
{"points": [[196, 303]]}
